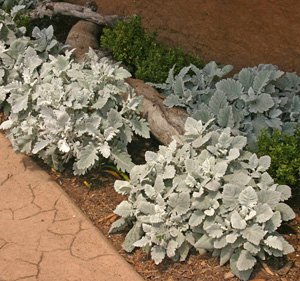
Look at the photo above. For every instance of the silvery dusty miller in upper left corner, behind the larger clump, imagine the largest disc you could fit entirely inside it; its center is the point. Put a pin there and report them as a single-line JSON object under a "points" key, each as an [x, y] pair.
{"points": [[16, 49]]}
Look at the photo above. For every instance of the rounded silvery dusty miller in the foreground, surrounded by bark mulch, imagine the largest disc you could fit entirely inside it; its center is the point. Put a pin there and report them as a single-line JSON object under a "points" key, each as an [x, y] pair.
{"points": [[206, 192]]}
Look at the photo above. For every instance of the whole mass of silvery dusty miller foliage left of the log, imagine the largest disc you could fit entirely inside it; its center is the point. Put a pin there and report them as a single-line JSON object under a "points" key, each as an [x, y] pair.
{"points": [[62, 110]]}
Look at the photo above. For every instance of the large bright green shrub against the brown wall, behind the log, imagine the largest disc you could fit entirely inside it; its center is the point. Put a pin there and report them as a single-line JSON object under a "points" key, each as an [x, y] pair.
{"points": [[146, 57]]}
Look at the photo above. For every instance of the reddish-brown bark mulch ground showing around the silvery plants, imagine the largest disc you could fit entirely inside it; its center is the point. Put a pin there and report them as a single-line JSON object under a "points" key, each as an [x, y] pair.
{"points": [[95, 195]]}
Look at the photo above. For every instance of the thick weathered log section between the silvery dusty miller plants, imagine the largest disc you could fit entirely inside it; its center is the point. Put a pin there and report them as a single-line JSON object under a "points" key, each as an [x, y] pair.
{"points": [[163, 122]]}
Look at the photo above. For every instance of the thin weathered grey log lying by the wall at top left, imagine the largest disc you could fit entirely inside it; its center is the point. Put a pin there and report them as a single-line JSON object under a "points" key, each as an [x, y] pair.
{"points": [[51, 9]]}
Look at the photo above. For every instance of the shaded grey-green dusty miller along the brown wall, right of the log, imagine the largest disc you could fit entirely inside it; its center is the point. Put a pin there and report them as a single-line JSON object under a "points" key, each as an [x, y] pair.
{"points": [[259, 97]]}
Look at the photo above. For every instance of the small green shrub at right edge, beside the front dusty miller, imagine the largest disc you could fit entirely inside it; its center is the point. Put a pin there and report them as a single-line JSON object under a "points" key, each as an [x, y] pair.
{"points": [[284, 152]]}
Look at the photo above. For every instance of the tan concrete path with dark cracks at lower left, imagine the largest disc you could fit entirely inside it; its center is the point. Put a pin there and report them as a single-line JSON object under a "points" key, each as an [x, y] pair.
{"points": [[43, 234]]}
